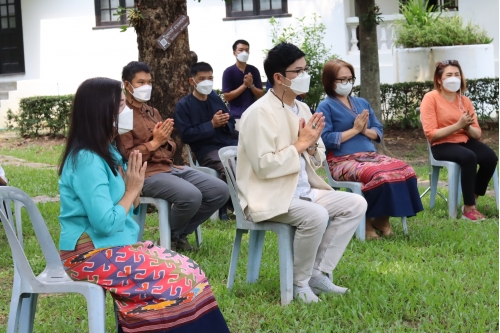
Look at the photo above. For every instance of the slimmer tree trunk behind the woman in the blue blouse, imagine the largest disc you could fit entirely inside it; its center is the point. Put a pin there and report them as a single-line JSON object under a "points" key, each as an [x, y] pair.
{"points": [[370, 71]]}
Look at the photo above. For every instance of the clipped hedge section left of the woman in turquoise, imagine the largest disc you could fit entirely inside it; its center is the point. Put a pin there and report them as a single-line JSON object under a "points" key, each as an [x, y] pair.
{"points": [[41, 113]]}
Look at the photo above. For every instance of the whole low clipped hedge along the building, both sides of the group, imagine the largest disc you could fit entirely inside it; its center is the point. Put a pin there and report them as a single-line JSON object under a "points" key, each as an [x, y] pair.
{"points": [[399, 102]]}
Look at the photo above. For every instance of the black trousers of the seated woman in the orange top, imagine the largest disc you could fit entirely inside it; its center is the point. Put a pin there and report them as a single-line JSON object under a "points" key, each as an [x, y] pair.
{"points": [[468, 156]]}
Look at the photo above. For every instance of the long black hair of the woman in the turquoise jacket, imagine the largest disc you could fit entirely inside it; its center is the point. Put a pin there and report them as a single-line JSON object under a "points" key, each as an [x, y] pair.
{"points": [[94, 112]]}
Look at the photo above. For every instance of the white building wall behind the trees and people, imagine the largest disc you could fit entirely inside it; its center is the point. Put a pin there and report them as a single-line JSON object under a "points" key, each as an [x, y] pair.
{"points": [[62, 48]]}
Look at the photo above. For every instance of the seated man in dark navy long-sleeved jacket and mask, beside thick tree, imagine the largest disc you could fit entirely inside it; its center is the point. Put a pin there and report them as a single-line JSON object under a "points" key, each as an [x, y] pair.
{"points": [[204, 123]]}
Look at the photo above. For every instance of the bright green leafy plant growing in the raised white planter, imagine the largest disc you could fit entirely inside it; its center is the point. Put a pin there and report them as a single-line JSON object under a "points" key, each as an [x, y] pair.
{"points": [[423, 28]]}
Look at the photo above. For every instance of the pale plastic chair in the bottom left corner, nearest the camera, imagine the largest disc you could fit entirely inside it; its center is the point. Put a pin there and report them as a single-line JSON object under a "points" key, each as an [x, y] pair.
{"points": [[53, 279]]}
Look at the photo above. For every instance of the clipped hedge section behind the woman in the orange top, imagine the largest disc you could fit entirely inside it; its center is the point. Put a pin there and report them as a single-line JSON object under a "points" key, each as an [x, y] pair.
{"points": [[400, 100]]}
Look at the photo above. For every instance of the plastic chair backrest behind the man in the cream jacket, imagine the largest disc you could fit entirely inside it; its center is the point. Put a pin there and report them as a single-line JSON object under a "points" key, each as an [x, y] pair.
{"points": [[227, 156]]}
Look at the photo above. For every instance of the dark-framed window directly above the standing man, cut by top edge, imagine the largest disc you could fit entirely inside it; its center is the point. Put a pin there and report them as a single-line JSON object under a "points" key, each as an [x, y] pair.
{"points": [[250, 9]]}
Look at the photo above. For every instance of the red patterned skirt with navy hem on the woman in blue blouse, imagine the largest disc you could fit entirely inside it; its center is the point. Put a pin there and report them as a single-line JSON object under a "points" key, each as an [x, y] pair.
{"points": [[389, 185]]}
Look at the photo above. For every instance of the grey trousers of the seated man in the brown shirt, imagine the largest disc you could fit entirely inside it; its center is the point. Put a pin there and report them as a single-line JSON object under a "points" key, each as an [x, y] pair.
{"points": [[194, 196]]}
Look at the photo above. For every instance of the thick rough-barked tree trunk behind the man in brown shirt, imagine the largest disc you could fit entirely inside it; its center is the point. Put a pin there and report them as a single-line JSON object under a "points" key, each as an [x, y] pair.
{"points": [[170, 68]]}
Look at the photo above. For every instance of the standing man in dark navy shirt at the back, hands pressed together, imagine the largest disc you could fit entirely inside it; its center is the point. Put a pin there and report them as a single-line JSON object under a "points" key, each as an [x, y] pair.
{"points": [[241, 83]]}
